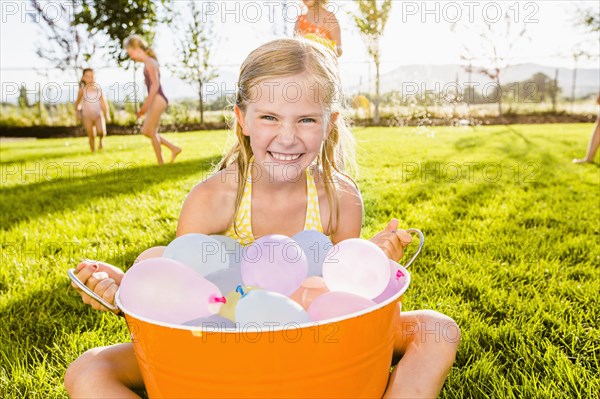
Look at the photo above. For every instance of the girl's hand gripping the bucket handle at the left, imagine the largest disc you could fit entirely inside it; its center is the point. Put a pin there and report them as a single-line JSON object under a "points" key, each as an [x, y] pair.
{"points": [[100, 277]]}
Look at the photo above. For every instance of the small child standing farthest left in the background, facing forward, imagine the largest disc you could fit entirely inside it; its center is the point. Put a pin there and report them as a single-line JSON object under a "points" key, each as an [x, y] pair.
{"points": [[92, 108]]}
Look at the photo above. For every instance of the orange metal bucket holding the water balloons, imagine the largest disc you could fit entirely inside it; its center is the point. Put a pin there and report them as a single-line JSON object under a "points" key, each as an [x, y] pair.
{"points": [[347, 357]]}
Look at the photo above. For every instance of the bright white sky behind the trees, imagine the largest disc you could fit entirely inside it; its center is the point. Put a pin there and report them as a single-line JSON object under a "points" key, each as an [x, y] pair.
{"points": [[418, 32]]}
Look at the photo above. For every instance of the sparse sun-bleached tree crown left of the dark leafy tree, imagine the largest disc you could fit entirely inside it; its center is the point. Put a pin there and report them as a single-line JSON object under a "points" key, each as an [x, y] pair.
{"points": [[66, 44]]}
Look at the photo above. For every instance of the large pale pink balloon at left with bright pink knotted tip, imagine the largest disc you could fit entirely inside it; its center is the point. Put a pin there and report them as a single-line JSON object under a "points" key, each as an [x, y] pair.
{"points": [[168, 291]]}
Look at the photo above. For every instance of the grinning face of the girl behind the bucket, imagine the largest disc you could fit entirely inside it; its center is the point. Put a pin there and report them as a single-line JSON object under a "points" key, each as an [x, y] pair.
{"points": [[286, 124]]}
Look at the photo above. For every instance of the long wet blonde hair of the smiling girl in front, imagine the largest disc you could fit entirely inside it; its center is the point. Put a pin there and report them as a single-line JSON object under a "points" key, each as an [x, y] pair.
{"points": [[288, 57]]}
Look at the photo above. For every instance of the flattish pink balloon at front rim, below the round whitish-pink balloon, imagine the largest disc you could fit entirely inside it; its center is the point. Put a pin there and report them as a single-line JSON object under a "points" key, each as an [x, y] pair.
{"points": [[337, 304]]}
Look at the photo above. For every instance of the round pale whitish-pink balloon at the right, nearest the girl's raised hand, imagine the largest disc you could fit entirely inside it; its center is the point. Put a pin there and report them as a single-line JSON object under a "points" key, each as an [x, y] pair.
{"points": [[356, 266]]}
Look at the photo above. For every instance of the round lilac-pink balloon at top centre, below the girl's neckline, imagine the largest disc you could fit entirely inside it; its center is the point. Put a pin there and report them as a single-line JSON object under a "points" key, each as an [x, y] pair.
{"points": [[275, 263]]}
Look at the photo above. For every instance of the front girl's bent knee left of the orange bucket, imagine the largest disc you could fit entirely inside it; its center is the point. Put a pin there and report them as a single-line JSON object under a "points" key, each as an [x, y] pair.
{"points": [[105, 372]]}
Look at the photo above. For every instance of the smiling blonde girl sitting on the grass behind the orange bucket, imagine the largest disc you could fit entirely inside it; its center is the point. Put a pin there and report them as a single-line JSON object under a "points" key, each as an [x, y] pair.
{"points": [[288, 171]]}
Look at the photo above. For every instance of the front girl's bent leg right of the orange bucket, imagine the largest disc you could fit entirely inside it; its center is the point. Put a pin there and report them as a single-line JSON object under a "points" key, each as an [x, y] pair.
{"points": [[427, 342]]}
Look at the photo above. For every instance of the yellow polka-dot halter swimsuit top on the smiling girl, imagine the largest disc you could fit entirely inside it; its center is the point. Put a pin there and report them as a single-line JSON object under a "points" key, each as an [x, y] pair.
{"points": [[243, 218]]}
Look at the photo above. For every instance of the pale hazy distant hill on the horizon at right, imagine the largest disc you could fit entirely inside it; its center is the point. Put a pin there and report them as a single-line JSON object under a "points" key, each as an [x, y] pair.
{"points": [[588, 80]]}
